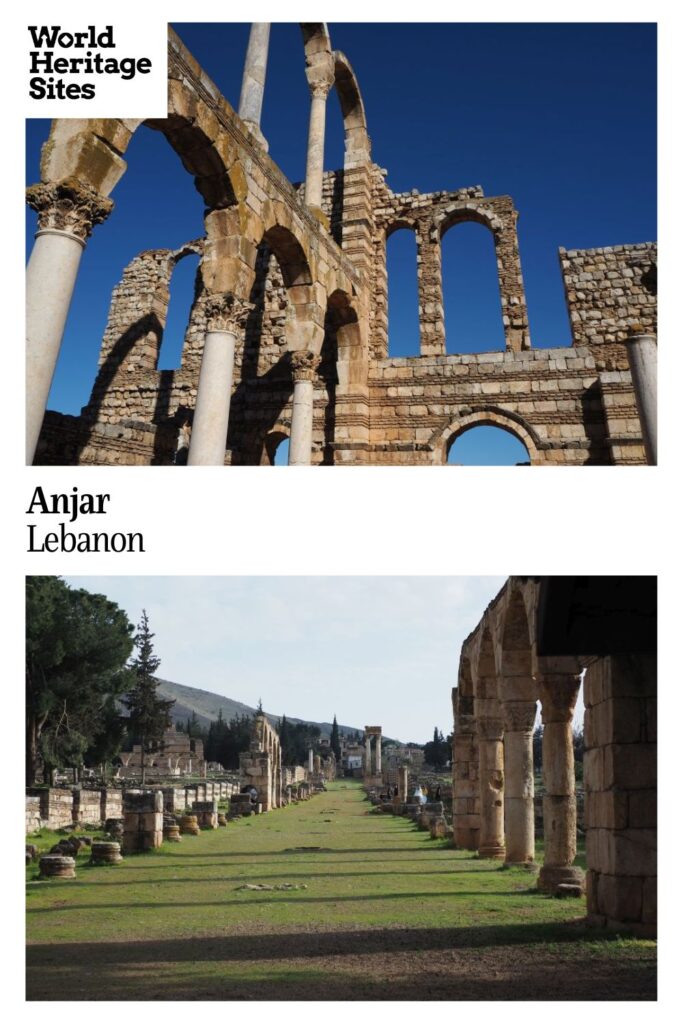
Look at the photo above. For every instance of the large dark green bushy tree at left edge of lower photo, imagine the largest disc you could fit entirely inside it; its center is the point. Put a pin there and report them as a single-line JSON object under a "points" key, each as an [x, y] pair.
{"points": [[77, 647]]}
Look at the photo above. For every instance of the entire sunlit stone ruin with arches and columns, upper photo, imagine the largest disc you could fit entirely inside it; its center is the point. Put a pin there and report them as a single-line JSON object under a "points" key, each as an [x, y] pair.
{"points": [[287, 337]]}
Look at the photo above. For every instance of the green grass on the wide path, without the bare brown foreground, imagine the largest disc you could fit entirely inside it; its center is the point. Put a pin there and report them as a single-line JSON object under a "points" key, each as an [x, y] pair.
{"points": [[373, 873]]}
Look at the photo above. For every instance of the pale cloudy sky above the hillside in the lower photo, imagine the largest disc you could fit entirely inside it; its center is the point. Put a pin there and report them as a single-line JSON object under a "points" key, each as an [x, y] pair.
{"points": [[374, 651]]}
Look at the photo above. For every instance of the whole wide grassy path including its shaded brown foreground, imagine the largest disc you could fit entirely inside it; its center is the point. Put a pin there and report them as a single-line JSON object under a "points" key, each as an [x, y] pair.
{"points": [[387, 913]]}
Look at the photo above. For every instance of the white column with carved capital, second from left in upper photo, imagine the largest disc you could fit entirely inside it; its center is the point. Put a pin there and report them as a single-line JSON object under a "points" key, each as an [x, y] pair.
{"points": [[209, 436]]}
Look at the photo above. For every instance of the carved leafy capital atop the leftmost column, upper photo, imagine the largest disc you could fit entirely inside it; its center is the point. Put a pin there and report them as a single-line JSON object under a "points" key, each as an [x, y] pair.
{"points": [[69, 206]]}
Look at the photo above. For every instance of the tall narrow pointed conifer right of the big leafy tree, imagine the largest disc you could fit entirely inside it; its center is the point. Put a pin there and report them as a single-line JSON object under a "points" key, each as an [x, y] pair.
{"points": [[149, 714]]}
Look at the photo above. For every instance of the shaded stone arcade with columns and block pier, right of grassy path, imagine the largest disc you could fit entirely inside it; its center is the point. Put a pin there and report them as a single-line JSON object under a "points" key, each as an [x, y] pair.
{"points": [[525, 655]]}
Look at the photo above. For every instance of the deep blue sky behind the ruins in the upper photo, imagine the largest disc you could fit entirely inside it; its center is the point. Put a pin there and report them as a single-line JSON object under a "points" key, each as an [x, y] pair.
{"points": [[562, 117]]}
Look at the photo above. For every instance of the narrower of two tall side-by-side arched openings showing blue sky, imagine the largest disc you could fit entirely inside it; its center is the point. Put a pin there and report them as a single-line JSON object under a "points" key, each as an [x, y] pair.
{"points": [[402, 263]]}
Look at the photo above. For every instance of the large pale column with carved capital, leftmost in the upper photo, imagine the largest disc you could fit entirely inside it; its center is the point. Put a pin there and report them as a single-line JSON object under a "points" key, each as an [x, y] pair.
{"points": [[67, 214]]}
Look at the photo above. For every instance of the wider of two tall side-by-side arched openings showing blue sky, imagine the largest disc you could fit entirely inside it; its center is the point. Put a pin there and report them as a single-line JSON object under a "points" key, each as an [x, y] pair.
{"points": [[472, 294]]}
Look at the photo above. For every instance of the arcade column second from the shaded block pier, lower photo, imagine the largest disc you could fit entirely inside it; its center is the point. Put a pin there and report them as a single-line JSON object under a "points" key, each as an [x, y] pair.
{"points": [[520, 834]]}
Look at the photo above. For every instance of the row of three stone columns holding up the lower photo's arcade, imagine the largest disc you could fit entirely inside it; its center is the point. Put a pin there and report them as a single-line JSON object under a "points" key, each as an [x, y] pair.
{"points": [[506, 781]]}
